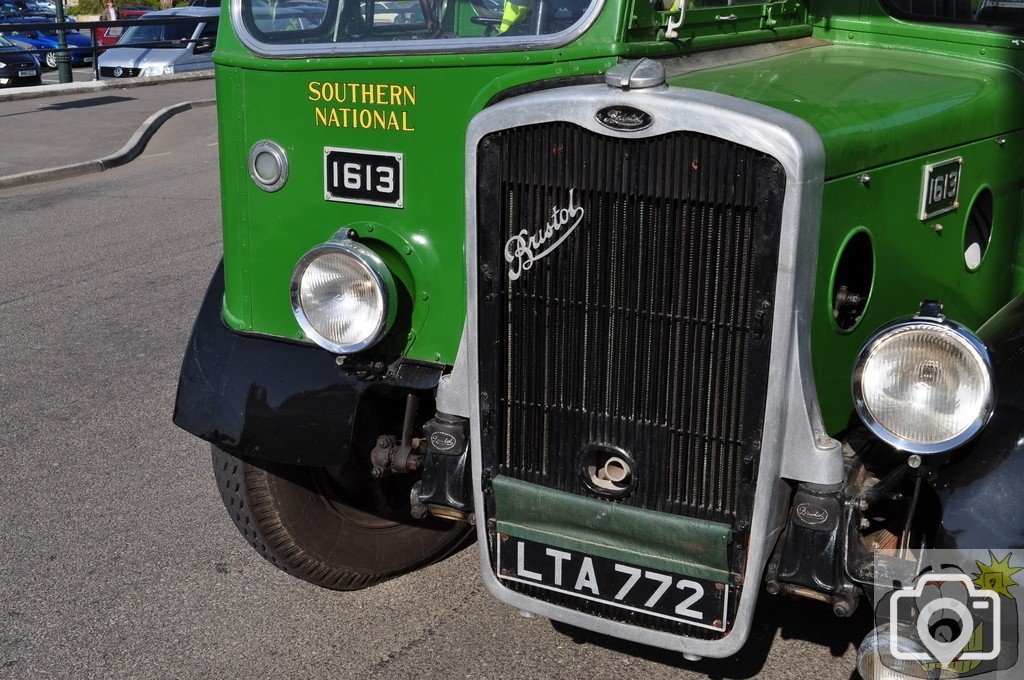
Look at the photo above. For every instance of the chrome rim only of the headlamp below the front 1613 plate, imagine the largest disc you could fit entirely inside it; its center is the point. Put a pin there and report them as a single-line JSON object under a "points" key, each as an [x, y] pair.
{"points": [[379, 274]]}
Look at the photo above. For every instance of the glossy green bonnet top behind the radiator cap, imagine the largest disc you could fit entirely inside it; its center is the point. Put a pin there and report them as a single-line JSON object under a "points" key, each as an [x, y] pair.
{"points": [[872, 107]]}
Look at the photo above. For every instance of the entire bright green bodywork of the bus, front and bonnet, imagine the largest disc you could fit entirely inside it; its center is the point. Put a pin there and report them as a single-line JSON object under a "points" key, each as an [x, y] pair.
{"points": [[887, 98]]}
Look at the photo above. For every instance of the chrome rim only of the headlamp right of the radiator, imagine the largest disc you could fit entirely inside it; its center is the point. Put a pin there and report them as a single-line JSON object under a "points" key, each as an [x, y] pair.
{"points": [[941, 325]]}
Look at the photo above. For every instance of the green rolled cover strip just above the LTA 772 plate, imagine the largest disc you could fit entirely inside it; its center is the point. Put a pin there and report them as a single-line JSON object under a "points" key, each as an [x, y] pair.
{"points": [[657, 540]]}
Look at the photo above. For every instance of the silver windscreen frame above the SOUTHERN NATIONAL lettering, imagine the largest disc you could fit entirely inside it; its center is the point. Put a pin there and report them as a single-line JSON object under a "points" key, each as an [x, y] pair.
{"points": [[387, 48]]}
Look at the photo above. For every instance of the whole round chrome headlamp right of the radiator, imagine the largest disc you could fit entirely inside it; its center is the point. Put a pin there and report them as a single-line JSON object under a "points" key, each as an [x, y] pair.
{"points": [[924, 385]]}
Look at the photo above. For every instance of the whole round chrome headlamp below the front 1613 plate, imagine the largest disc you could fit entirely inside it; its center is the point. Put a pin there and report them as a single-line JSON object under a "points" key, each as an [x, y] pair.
{"points": [[344, 296]]}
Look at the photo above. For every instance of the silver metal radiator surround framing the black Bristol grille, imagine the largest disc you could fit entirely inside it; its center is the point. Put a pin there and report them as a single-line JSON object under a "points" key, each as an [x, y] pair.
{"points": [[794, 444]]}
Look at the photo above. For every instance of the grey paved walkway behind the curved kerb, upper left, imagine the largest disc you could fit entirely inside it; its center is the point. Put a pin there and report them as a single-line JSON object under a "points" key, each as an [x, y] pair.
{"points": [[54, 132]]}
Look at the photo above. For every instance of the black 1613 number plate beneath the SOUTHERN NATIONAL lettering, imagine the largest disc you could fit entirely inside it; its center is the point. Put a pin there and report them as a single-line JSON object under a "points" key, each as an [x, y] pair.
{"points": [[373, 179]]}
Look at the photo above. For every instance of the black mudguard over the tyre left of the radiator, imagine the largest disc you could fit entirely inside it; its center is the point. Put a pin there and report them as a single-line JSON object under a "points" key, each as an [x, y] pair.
{"points": [[273, 400]]}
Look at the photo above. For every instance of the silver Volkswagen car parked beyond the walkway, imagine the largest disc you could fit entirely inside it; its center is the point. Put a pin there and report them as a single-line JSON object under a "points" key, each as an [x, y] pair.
{"points": [[159, 49]]}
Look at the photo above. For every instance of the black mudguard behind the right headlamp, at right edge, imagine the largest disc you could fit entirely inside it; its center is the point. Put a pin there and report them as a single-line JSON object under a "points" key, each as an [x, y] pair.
{"points": [[982, 492]]}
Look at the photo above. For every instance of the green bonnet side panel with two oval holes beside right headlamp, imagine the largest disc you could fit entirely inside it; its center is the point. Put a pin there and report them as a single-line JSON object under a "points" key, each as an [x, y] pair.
{"points": [[913, 261]]}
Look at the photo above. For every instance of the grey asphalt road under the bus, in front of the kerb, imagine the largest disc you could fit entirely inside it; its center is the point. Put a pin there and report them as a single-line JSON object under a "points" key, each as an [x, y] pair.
{"points": [[117, 559]]}
